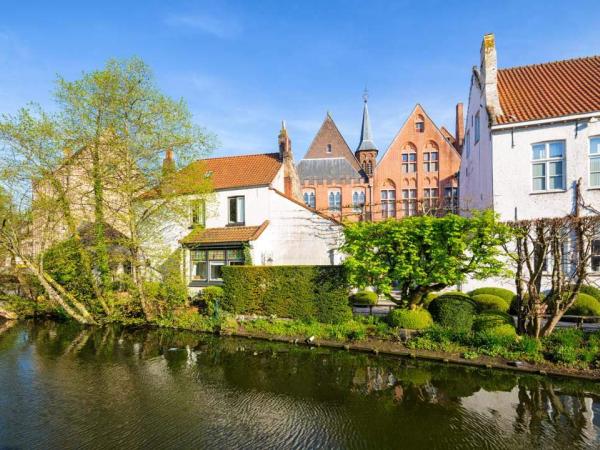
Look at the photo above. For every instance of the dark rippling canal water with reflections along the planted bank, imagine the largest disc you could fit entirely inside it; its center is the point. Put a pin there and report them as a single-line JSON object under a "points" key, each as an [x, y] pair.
{"points": [[64, 386]]}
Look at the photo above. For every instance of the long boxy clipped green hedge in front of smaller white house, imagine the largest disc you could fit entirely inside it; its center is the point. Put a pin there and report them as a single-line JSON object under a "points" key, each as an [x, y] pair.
{"points": [[297, 292]]}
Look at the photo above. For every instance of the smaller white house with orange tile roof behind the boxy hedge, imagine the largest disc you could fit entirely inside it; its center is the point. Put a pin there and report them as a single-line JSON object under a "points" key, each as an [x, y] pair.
{"points": [[255, 209]]}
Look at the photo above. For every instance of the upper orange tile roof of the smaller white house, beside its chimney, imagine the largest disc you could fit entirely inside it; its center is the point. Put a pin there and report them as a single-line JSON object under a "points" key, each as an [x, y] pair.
{"points": [[238, 171]]}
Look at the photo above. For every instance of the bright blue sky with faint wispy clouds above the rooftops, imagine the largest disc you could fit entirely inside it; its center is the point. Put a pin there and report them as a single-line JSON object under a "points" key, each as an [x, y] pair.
{"points": [[243, 66]]}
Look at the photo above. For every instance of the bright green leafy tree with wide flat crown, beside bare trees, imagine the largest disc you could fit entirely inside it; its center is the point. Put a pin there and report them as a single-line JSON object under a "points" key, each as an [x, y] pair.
{"points": [[424, 254]]}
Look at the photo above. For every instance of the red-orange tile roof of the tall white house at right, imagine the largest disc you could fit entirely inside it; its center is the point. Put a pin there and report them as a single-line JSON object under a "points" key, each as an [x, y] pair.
{"points": [[553, 89]]}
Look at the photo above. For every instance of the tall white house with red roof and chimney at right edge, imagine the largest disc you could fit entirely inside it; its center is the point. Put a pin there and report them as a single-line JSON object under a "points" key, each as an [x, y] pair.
{"points": [[532, 139]]}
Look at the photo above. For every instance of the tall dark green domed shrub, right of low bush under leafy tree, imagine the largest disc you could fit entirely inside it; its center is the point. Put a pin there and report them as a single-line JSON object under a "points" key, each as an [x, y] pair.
{"points": [[454, 311]]}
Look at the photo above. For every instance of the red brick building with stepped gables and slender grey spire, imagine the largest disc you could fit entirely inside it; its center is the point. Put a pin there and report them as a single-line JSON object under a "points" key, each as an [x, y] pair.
{"points": [[415, 175]]}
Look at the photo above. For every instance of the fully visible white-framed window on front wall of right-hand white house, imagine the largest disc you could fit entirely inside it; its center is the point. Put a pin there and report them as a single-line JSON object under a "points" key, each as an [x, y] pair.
{"points": [[548, 166]]}
